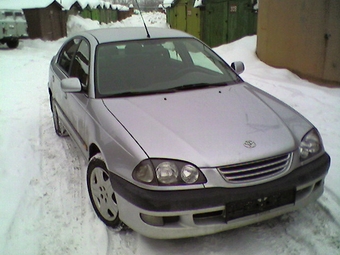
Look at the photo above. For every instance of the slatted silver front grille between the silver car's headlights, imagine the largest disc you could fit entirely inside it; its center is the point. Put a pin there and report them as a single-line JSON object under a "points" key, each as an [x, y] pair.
{"points": [[255, 170]]}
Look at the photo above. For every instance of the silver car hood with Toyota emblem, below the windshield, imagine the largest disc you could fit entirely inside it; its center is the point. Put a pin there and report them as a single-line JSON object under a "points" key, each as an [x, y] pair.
{"points": [[210, 127]]}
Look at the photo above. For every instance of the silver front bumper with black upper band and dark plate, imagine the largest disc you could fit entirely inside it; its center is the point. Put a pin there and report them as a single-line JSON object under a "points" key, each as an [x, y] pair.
{"points": [[188, 213]]}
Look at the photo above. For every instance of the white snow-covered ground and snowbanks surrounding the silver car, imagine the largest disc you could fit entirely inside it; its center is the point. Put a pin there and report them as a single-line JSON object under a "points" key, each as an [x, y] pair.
{"points": [[44, 206]]}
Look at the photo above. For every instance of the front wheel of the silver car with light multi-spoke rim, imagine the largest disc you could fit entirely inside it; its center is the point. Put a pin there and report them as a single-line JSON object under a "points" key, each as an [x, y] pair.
{"points": [[101, 193]]}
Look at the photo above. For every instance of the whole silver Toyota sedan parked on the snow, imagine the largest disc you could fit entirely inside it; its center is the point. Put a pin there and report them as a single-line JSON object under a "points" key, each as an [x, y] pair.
{"points": [[178, 144]]}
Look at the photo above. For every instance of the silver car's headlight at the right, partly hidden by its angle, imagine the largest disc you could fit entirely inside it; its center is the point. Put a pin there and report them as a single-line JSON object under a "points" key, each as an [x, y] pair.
{"points": [[310, 145]]}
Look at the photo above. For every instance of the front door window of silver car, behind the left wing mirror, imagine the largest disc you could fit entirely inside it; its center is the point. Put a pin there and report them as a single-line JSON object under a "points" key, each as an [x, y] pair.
{"points": [[80, 64]]}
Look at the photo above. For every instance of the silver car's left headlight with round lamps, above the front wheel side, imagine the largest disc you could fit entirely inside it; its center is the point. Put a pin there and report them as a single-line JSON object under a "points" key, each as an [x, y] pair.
{"points": [[167, 172]]}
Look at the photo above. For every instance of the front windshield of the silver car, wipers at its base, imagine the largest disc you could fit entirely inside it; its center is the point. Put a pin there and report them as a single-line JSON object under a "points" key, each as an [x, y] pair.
{"points": [[156, 66]]}
